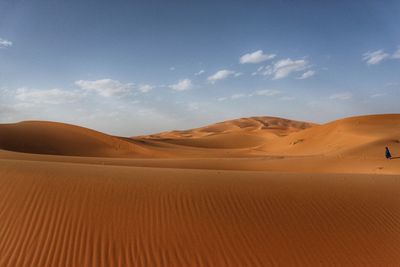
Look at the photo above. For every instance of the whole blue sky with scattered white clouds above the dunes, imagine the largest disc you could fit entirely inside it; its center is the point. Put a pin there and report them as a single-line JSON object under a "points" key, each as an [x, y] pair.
{"points": [[138, 67]]}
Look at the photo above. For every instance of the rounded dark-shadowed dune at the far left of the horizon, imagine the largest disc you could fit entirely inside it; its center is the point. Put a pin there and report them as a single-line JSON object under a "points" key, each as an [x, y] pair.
{"points": [[40, 137]]}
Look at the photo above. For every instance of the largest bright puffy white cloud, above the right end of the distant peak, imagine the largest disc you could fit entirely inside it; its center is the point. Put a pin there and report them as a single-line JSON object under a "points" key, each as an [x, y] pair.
{"points": [[285, 67]]}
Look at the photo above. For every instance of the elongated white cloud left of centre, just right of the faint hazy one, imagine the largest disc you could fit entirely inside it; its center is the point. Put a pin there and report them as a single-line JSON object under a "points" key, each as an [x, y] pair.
{"points": [[105, 87]]}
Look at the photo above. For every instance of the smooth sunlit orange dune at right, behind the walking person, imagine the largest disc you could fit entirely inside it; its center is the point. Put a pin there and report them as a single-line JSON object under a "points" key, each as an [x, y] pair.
{"points": [[362, 136]]}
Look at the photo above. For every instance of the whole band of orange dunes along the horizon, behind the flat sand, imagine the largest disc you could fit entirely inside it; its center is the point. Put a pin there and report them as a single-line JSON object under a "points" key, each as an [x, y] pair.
{"points": [[257, 136]]}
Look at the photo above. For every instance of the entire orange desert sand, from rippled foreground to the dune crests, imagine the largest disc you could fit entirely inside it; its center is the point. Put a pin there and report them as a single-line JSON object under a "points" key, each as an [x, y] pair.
{"points": [[256, 191]]}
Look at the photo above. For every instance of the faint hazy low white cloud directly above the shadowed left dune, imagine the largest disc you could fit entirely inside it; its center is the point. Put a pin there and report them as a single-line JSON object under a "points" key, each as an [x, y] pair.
{"points": [[52, 96]]}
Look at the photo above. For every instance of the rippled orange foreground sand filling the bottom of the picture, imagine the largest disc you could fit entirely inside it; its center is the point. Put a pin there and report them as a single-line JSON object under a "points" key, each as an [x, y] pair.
{"points": [[71, 214]]}
